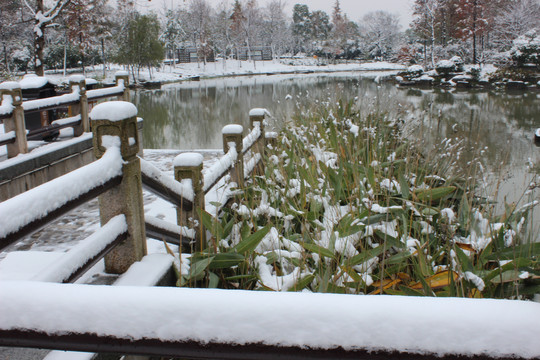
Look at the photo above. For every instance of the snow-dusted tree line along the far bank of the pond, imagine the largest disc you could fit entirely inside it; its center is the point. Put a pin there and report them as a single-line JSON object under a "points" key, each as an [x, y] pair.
{"points": [[76, 33]]}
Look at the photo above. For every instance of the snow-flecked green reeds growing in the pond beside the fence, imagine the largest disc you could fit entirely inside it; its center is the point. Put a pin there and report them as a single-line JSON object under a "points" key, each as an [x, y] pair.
{"points": [[346, 204]]}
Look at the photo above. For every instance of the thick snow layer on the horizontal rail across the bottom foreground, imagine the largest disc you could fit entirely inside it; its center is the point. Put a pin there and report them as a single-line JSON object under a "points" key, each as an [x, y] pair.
{"points": [[316, 321]]}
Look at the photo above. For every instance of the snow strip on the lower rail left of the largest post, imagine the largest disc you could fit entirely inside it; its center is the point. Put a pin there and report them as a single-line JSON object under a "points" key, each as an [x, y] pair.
{"points": [[87, 251]]}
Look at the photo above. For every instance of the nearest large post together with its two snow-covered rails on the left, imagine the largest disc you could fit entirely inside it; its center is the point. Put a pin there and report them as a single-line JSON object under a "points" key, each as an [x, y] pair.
{"points": [[116, 176]]}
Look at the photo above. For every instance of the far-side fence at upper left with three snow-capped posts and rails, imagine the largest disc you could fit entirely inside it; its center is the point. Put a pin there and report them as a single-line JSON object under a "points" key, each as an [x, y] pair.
{"points": [[13, 110]]}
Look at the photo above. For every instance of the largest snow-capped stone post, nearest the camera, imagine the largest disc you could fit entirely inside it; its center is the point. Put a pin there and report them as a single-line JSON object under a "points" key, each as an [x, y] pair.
{"points": [[119, 119]]}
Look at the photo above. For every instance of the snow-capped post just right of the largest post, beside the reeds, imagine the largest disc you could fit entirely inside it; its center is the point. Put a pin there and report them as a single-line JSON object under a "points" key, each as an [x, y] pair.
{"points": [[188, 168]]}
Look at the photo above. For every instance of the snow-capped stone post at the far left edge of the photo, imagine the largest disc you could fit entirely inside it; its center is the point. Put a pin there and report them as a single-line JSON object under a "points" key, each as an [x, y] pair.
{"points": [[11, 92]]}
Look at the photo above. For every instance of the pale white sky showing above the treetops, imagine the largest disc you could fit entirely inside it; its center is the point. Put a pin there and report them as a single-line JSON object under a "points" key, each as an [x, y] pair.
{"points": [[354, 9]]}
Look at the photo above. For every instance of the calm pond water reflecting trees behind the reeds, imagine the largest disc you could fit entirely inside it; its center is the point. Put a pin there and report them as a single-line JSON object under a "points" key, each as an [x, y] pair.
{"points": [[497, 127]]}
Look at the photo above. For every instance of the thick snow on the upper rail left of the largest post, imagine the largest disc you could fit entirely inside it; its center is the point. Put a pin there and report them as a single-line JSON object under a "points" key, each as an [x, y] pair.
{"points": [[41, 200]]}
